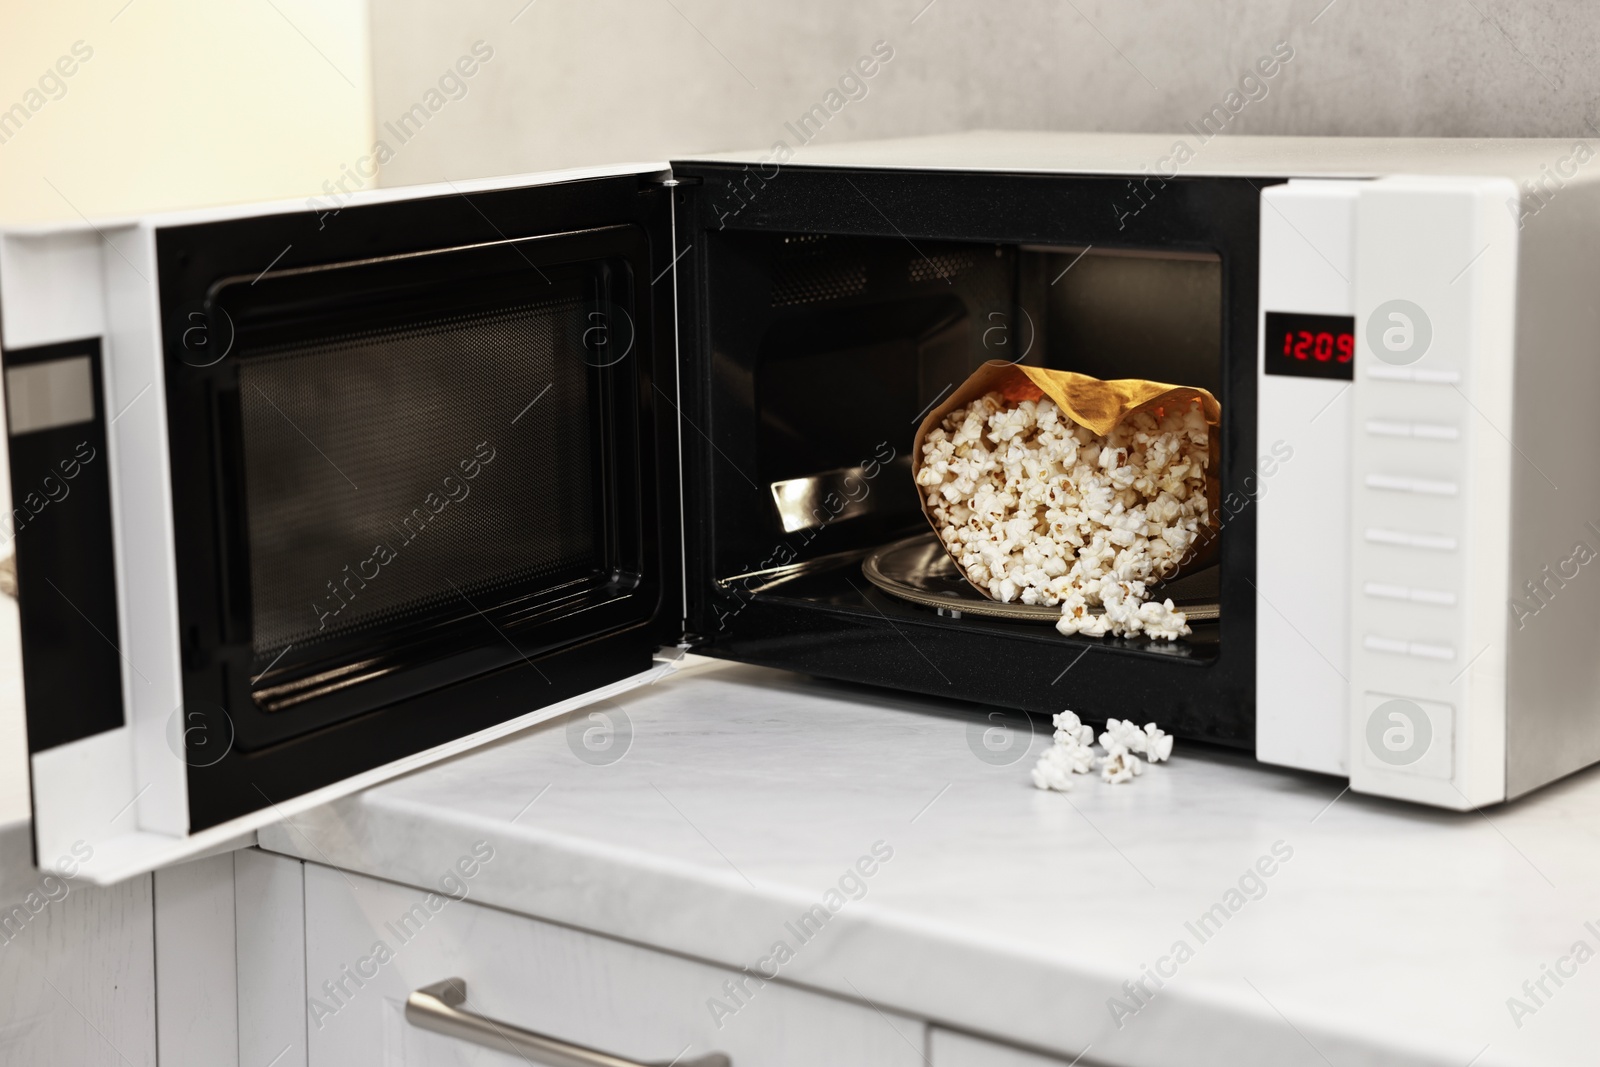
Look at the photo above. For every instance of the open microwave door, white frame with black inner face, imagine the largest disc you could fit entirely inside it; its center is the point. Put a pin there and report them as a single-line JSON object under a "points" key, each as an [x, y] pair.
{"points": [[313, 495]]}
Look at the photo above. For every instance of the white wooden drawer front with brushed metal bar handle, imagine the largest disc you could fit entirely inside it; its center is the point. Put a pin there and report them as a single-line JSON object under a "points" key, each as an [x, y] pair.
{"points": [[370, 943]]}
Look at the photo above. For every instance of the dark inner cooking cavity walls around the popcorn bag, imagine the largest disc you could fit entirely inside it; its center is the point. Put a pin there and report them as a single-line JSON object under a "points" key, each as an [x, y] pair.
{"points": [[846, 343]]}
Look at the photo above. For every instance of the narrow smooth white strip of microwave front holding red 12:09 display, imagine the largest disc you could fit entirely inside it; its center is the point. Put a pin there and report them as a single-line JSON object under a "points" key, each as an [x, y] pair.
{"points": [[1305, 366]]}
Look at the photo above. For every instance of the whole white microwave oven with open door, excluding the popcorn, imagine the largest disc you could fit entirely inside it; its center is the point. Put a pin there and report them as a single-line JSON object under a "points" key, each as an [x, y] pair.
{"points": [[313, 494]]}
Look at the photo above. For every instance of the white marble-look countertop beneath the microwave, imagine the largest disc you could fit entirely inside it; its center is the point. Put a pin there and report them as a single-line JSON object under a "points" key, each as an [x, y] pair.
{"points": [[1391, 935]]}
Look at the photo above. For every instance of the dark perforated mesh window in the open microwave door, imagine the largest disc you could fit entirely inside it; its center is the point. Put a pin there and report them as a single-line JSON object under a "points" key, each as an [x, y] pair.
{"points": [[388, 471]]}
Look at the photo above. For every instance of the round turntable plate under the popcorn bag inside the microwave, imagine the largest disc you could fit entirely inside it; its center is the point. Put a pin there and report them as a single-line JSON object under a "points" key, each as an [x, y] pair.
{"points": [[922, 572]]}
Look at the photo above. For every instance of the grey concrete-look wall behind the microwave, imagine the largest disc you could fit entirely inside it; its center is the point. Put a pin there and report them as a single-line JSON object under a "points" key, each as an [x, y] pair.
{"points": [[577, 82]]}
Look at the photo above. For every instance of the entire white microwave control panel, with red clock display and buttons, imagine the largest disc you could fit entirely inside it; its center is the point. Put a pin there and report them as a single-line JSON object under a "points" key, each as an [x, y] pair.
{"points": [[1383, 374]]}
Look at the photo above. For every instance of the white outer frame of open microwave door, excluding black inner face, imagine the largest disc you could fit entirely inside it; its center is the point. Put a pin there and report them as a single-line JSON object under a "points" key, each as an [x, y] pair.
{"points": [[114, 794]]}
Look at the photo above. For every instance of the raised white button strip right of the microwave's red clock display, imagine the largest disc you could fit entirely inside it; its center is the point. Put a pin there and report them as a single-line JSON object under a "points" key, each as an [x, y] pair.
{"points": [[1431, 489]]}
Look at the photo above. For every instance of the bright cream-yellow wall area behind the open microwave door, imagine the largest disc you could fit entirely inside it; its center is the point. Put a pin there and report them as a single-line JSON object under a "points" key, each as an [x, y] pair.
{"points": [[169, 103]]}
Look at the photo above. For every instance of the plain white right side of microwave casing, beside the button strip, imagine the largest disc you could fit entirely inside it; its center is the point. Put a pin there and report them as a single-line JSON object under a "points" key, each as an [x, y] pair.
{"points": [[1553, 705]]}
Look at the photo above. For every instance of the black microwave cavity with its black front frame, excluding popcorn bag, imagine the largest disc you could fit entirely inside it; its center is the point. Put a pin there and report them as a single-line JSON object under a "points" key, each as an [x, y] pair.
{"points": [[834, 310]]}
